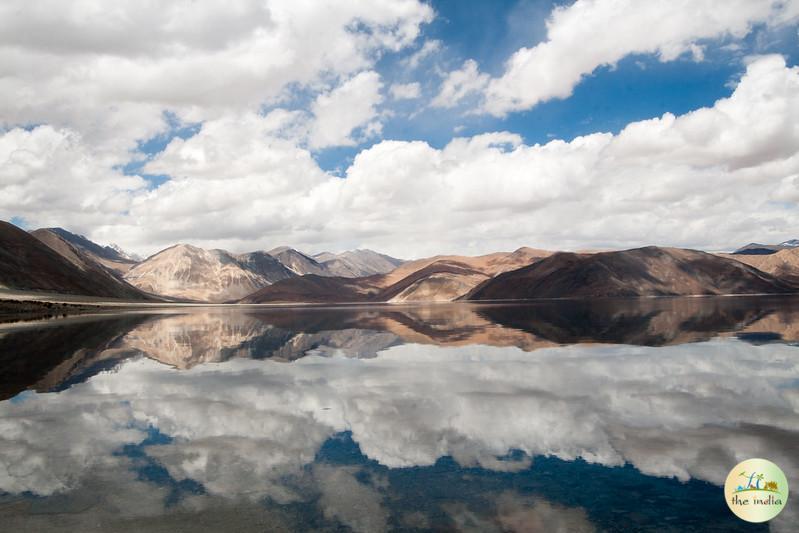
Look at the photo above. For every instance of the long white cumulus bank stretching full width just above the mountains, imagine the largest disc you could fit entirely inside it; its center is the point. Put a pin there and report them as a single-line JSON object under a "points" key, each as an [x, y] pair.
{"points": [[711, 178]]}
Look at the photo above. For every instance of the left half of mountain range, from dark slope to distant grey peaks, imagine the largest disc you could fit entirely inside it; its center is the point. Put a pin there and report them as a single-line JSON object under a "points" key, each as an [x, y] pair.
{"points": [[37, 260]]}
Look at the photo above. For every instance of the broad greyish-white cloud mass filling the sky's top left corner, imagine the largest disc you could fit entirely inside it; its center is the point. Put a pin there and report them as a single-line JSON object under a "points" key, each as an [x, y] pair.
{"points": [[108, 69]]}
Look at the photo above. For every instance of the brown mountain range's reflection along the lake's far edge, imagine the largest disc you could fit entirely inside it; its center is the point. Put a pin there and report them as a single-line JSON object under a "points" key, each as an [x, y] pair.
{"points": [[68, 351]]}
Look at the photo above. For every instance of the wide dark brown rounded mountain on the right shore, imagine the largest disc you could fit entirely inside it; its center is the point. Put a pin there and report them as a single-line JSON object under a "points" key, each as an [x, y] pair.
{"points": [[649, 271]]}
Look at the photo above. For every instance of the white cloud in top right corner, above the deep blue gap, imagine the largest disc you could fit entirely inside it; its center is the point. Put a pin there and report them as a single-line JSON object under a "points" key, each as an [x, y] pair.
{"points": [[590, 33]]}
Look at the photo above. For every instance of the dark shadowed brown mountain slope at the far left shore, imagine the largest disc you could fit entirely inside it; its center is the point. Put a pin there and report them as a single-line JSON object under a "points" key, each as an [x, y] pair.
{"points": [[29, 264]]}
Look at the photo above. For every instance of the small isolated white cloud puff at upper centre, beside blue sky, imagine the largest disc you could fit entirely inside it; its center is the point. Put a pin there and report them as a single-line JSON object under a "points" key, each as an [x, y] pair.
{"points": [[350, 106]]}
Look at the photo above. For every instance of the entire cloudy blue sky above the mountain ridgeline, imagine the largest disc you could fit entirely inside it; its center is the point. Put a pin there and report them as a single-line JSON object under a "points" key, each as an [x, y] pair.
{"points": [[408, 127]]}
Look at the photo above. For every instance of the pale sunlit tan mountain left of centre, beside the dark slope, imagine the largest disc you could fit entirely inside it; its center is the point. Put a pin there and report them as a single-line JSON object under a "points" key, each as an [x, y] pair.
{"points": [[185, 271]]}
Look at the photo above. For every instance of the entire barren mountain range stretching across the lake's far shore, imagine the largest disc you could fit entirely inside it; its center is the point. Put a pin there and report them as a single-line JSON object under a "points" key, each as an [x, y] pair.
{"points": [[56, 260]]}
